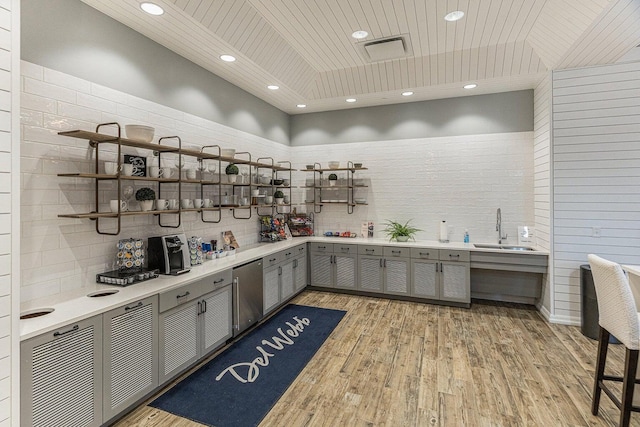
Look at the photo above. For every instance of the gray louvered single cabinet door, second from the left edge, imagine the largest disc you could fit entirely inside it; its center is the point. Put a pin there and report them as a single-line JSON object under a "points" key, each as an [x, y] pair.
{"points": [[130, 354]]}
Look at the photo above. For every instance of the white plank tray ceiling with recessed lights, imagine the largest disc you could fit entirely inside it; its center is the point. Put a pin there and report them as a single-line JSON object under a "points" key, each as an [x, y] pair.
{"points": [[306, 48]]}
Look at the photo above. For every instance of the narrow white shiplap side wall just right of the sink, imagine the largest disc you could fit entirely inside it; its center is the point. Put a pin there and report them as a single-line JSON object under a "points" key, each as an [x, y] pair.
{"points": [[542, 179]]}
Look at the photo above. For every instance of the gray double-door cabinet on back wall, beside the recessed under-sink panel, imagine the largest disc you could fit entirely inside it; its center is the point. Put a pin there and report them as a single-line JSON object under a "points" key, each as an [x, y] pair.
{"points": [[441, 274]]}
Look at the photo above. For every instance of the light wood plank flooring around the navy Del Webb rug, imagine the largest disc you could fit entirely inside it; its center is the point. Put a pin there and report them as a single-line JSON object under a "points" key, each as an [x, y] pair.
{"points": [[394, 363]]}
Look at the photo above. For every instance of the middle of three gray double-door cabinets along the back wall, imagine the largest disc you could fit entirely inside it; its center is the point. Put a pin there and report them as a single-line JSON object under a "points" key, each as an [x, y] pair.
{"points": [[384, 269]]}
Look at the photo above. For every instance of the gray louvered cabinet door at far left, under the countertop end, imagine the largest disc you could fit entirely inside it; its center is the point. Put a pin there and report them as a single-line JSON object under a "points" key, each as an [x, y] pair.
{"points": [[61, 376]]}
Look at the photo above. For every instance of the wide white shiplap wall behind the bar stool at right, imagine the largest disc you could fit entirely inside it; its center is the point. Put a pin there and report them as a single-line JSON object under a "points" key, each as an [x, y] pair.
{"points": [[596, 169]]}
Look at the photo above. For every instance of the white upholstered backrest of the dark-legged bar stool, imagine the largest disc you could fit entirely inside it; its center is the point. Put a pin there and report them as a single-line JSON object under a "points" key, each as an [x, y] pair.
{"points": [[617, 308]]}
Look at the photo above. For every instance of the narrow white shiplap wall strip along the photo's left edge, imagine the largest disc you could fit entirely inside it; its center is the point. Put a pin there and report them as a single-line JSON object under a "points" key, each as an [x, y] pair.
{"points": [[9, 211]]}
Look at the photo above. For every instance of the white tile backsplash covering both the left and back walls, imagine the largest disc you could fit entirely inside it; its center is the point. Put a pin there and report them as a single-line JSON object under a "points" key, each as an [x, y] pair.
{"points": [[460, 179]]}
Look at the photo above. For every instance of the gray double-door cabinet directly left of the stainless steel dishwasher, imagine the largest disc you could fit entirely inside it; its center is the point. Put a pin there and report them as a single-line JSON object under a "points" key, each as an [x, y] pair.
{"points": [[195, 319]]}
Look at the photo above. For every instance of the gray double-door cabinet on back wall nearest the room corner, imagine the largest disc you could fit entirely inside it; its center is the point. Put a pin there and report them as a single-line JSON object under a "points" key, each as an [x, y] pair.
{"points": [[334, 265]]}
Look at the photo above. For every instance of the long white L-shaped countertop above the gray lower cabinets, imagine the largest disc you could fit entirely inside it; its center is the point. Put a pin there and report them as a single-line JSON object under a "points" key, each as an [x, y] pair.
{"points": [[75, 305]]}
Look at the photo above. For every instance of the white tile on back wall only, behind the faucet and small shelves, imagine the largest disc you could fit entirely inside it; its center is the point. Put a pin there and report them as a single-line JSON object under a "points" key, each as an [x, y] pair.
{"points": [[462, 180]]}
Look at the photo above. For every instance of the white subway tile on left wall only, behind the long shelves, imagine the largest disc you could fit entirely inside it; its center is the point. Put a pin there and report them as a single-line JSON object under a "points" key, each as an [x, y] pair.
{"points": [[61, 254]]}
